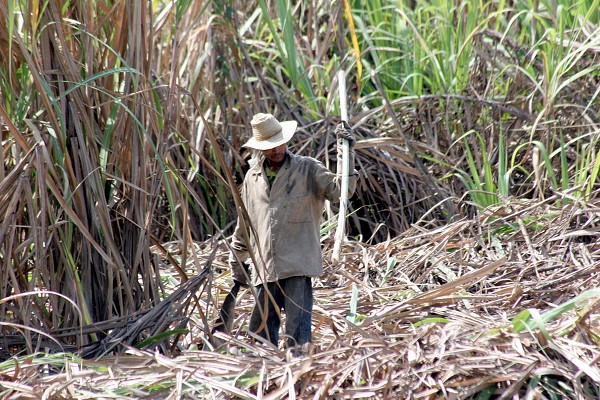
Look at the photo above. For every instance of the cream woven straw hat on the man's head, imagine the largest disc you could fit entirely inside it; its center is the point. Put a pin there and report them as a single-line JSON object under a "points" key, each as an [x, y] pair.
{"points": [[268, 133]]}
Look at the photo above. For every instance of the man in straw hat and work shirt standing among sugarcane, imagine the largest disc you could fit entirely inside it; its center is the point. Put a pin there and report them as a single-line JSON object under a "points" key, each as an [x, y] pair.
{"points": [[284, 195]]}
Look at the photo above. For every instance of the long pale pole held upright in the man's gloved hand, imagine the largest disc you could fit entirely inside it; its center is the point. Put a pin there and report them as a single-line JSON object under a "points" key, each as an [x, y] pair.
{"points": [[341, 226]]}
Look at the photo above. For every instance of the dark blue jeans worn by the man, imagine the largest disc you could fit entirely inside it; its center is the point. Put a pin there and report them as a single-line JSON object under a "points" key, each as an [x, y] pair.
{"points": [[295, 296]]}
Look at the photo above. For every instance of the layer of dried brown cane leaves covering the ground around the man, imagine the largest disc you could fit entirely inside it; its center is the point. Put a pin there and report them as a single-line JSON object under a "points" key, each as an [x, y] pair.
{"points": [[438, 314]]}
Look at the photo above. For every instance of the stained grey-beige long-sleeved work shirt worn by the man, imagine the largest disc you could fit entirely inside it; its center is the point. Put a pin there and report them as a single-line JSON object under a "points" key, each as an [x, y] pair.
{"points": [[286, 217]]}
